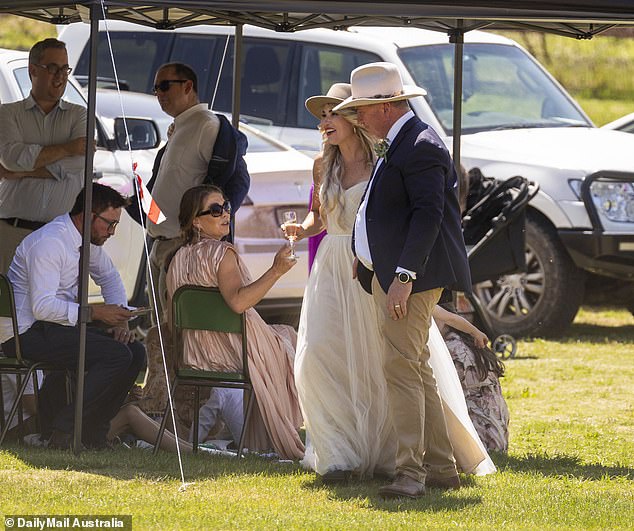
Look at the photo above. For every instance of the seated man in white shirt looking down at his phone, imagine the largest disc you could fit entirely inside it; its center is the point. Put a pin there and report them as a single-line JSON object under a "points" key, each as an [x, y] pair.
{"points": [[45, 278]]}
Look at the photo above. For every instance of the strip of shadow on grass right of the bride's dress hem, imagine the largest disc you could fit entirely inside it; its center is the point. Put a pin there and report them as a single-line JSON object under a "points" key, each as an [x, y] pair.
{"points": [[561, 465]]}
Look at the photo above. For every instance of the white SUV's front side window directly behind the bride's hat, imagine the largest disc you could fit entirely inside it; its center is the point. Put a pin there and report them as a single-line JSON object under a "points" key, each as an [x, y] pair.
{"points": [[321, 66]]}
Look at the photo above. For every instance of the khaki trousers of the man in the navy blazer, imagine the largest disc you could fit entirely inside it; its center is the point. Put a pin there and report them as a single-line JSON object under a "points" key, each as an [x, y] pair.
{"points": [[417, 413]]}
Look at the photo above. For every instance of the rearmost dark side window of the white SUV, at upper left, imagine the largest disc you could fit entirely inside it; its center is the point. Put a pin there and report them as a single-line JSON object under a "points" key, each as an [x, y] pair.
{"points": [[137, 55]]}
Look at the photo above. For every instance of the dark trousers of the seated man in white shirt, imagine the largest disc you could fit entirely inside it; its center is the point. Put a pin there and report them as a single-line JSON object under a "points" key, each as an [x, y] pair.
{"points": [[111, 370]]}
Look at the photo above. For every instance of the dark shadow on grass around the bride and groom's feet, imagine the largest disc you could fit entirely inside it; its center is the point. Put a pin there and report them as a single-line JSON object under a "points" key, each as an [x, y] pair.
{"points": [[366, 492]]}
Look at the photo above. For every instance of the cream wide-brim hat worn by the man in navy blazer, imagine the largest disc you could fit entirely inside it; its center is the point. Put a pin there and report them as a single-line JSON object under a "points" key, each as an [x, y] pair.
{"points": [[378, 83]]}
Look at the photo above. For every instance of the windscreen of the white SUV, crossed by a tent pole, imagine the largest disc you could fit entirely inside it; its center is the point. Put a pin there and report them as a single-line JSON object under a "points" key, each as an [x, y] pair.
{"points": [[503, 88]]}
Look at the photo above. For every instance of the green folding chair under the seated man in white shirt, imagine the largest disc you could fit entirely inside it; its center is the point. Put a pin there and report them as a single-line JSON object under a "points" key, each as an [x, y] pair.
{"points": [[23, 369]]}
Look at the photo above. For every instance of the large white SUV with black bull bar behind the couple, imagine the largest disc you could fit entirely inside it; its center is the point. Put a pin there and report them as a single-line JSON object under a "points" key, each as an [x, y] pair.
{"points": [[517, 120]]}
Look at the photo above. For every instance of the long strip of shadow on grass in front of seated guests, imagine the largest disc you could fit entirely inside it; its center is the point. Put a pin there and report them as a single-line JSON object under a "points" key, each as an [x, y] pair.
{"points": [[136, 463]]}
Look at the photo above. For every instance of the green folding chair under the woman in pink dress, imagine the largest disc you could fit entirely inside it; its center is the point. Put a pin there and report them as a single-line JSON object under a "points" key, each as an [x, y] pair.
{"points": [[203, 308]]}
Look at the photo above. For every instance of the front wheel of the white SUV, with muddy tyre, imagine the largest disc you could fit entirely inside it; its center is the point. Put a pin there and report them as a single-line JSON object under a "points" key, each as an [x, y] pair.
{"points": [[544, 300]]}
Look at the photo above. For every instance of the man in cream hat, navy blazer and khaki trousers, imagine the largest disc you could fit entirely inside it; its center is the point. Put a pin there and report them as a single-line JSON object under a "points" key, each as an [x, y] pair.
{"points": [[409, 247]]}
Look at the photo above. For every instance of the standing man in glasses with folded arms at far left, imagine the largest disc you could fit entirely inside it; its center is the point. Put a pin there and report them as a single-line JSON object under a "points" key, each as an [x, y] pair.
{"points": [[42, 148]]}
